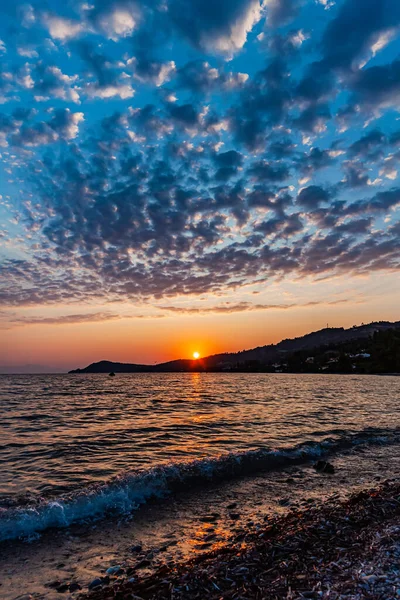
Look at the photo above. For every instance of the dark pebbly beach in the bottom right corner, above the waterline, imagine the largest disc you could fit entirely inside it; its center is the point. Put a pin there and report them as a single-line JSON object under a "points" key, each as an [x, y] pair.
{"points": [[347, 549]]}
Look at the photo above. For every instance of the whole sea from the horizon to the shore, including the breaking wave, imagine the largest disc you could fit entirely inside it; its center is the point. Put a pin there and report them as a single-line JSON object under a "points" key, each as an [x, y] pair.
{"points": [[76, 447]]}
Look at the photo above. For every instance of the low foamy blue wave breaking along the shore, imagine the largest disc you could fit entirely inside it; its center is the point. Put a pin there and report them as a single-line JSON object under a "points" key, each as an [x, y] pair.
{"points": [[128, 491]]}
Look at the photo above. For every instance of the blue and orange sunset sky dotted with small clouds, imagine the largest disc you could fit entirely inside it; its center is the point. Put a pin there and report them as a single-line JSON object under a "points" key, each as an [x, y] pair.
{"points": [[181, 176]]}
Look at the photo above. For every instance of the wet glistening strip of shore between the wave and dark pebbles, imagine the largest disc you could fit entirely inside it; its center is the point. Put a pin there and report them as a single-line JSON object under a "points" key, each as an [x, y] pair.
{"points": [[184, 526]]}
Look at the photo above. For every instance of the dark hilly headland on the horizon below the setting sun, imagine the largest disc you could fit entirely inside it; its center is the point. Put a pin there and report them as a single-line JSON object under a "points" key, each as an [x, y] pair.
{"points": [[373, 348]]}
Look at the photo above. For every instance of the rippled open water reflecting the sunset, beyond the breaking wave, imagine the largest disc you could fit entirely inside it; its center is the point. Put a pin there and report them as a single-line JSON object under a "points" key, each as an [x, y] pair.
{"points": [[59, 432]]}
